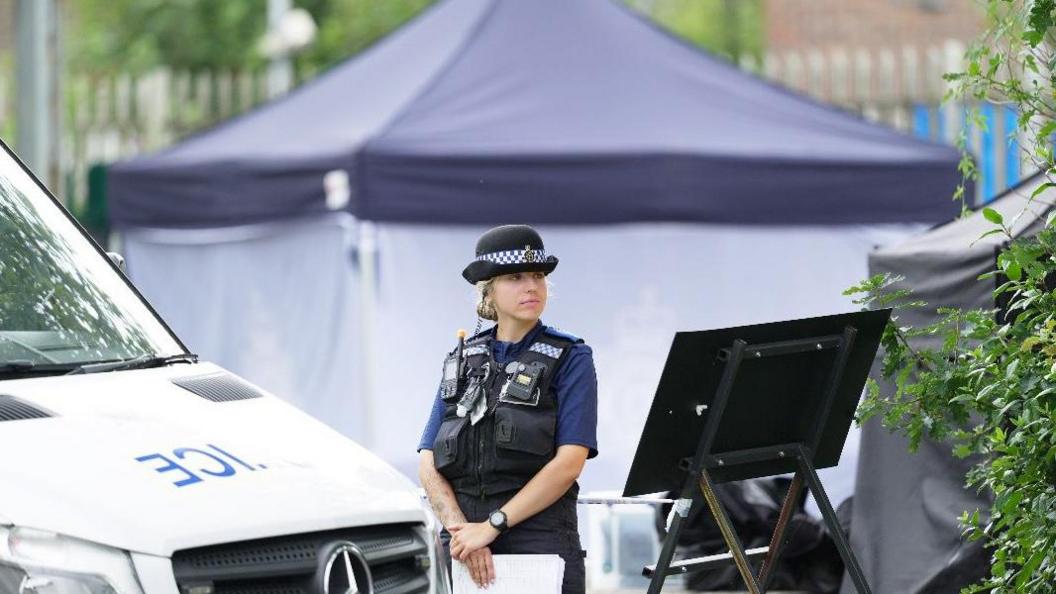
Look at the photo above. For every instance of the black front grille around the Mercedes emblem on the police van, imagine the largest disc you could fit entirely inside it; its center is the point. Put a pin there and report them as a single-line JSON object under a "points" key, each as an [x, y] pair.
{"points": [[290, 565]]}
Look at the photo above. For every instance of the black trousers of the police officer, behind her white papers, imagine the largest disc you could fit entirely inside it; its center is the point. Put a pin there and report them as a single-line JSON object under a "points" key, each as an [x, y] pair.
{"points": [[552, 532]]}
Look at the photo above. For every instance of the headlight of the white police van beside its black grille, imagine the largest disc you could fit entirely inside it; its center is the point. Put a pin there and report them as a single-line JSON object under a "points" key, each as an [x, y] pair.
{"points": [[34, 562]]}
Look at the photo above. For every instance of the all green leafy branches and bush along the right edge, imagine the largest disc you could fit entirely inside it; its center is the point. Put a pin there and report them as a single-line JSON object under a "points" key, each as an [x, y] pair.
{"points": [[991, 387]]}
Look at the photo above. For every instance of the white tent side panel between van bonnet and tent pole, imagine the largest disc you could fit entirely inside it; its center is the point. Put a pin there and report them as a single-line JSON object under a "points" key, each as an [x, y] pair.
{"points": [[275, 304]]}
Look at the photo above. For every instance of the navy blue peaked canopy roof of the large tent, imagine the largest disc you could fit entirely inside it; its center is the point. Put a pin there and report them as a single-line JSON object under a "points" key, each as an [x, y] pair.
{"points": [[549, 112]]}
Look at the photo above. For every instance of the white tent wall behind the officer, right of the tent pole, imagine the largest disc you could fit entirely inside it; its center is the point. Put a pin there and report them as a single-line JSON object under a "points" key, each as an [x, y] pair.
{"points": [[626, 290]]}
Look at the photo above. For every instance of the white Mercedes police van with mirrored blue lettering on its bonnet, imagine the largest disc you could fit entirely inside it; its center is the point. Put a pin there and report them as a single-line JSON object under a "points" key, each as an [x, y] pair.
{"points": [[127, 467]]}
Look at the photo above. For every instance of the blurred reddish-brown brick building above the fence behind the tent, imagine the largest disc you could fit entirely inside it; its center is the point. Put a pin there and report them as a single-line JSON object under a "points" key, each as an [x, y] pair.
{"points": [[809, 25]]}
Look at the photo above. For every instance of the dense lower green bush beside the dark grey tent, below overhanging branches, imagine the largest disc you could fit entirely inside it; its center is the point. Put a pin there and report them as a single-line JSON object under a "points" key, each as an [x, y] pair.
{"points": [[989, 388]]}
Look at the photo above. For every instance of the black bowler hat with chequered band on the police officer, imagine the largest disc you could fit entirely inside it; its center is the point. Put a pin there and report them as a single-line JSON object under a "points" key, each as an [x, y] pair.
{"points": [[508, 249]]}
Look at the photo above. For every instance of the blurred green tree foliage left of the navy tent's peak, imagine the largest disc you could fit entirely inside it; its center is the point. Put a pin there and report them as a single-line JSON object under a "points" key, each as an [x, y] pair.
{"points": [[138, 35]]}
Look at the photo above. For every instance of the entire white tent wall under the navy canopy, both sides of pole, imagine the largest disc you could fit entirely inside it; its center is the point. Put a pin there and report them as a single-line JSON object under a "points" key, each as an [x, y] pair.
{"points": [[279, 305]]}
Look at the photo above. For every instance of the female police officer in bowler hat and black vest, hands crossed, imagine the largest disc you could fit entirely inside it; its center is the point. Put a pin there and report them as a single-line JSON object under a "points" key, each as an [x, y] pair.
{"points": [[515, 420]]}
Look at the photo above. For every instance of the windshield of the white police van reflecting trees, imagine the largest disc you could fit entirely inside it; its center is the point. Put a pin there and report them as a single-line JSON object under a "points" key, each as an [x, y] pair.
{"points": [[62, 303]]}
